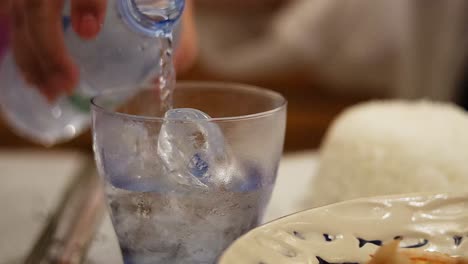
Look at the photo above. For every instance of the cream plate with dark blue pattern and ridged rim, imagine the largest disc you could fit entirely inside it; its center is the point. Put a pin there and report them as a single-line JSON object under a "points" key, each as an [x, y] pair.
{"points": [[349, 232]]}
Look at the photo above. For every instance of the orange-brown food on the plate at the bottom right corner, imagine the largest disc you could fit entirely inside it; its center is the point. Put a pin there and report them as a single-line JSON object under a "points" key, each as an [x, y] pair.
{"points": [[392, 254]]}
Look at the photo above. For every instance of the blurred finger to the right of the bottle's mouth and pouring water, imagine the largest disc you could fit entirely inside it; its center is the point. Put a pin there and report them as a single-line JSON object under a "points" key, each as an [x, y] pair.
{"points": [[187, 51]]}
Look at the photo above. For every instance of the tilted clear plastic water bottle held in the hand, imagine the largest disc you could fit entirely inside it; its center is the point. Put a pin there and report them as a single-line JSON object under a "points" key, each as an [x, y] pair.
{"points": [[125, 53]]}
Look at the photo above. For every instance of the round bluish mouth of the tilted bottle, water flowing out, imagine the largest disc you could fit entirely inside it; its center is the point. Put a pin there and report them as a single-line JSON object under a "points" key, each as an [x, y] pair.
{"points": [[153, 18]]}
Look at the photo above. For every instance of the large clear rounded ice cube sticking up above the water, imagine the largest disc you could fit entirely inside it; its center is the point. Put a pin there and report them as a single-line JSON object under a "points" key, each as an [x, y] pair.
{"points": [[194, 151]]}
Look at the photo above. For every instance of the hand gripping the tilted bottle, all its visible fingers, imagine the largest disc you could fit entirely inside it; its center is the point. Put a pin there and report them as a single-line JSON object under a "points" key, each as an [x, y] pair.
{"points": [[38, 46]]}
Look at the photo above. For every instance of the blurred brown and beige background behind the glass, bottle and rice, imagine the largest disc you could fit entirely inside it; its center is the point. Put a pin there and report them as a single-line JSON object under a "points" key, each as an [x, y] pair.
{"points": [[326, 55]]}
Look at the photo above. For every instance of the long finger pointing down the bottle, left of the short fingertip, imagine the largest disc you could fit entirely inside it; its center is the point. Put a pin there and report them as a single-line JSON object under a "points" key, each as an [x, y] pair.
{"points": [[44, 26]]}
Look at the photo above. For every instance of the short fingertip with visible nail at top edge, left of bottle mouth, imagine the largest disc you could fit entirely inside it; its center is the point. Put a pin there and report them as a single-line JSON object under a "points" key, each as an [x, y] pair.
{"points": [[87, 17]]}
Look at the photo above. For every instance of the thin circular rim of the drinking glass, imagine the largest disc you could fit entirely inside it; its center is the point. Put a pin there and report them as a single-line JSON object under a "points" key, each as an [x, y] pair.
{"points": [[208, 84]]}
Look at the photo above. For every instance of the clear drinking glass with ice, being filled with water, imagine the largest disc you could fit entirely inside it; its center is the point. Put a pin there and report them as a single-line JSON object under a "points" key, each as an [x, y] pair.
{"points": [[181, 187]]}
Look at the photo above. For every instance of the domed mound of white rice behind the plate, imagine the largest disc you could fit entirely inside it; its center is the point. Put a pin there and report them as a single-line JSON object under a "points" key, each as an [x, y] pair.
{"points": [[390, 147]]}
